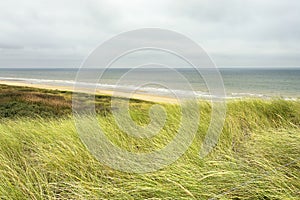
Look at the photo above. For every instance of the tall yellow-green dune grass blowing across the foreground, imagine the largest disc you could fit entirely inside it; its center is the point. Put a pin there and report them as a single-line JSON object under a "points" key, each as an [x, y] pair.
{"points": [[257, 156]]}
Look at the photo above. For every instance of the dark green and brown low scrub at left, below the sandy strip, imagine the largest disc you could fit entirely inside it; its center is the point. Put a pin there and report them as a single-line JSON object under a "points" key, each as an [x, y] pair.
{"points": [[16, 101]]}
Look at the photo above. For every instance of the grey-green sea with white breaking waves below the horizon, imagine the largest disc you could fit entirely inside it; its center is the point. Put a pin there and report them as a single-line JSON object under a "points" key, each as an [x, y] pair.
{"points": [[238, 82]]}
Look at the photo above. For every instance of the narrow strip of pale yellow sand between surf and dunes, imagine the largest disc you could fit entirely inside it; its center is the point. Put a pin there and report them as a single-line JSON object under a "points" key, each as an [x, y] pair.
{"points": [[145, 97]]}
